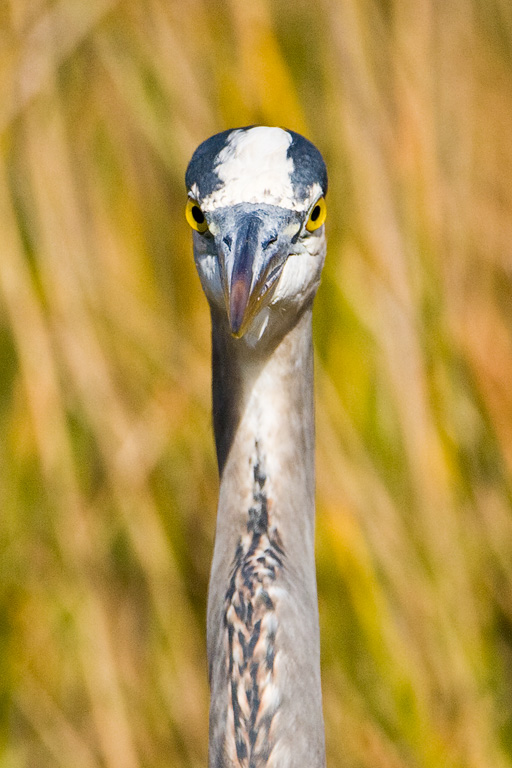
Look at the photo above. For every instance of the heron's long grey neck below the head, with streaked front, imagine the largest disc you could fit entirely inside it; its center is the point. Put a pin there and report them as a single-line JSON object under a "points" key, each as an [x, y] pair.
{"points": [[263, 639]]}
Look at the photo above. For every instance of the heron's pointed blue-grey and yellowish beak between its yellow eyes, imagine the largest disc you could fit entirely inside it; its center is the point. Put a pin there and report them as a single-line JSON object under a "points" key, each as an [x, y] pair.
{"points": [[259, 250]]}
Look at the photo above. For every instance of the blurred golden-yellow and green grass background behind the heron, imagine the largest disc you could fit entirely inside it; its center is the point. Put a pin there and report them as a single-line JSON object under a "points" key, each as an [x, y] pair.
{"points": [[108, 480]]}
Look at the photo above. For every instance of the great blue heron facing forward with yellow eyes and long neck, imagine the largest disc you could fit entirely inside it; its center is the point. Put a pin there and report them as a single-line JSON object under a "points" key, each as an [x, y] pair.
{"points": [[256, 203]]}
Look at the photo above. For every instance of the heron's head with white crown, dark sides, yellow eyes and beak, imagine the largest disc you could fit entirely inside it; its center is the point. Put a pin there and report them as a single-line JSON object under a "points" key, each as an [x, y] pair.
{"points": [[256, 204]]}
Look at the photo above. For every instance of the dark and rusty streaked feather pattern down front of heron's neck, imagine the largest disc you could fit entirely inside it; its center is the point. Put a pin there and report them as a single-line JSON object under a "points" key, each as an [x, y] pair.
{"points": [[251, 625]]}
